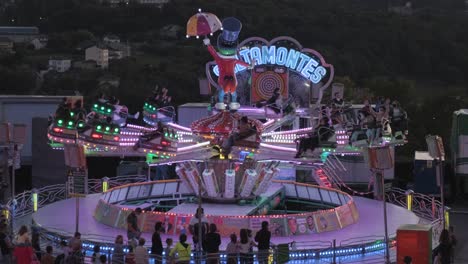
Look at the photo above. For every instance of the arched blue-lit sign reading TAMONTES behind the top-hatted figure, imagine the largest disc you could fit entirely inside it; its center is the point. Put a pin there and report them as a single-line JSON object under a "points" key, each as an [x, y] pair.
{"points": [[281, 51]]}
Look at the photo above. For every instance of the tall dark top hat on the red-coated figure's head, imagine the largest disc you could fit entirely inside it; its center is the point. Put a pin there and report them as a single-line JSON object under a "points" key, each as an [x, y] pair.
{"points": [[229, 38]]}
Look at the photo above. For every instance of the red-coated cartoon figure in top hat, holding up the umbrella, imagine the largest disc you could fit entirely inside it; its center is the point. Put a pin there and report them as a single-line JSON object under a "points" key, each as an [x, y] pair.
{"points": [[226, 60]]}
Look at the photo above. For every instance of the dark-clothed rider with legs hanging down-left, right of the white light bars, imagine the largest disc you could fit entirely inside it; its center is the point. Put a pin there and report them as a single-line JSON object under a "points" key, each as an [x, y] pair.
{"points": [[321, 133]]}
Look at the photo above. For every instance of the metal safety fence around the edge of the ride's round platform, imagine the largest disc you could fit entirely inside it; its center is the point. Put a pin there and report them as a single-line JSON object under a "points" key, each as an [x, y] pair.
{"points": [[427, 208]]}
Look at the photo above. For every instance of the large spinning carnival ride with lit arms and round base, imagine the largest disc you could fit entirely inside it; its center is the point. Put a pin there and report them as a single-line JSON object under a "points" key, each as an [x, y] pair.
{"points": [[230, 170]]}
